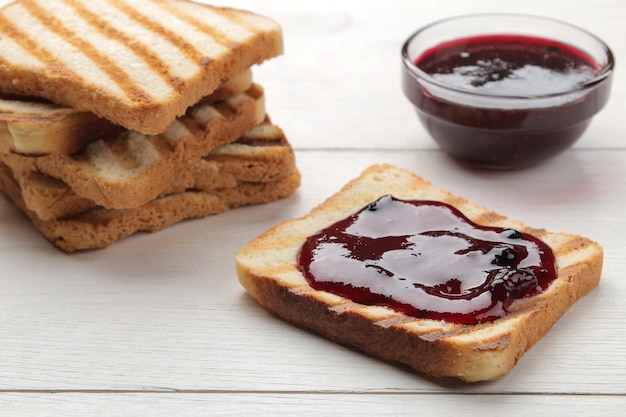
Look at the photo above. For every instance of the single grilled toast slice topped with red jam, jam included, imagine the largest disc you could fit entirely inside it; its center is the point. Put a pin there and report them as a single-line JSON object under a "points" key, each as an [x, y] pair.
{"points": [[270, 268]]}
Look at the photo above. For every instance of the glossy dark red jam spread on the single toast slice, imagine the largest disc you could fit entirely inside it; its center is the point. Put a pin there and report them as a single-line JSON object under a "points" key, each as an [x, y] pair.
{"points": [[427, 260]]}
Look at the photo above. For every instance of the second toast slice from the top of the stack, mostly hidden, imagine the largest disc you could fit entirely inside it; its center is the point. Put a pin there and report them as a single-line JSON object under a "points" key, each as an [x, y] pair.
{"points": [[36, 127]]}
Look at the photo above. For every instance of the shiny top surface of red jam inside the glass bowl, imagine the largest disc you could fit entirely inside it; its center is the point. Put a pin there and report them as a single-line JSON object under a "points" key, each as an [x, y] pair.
{"points": [[508, 65]]}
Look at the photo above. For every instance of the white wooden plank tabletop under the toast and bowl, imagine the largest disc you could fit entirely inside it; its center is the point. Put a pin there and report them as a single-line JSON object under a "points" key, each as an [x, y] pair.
{"points": [[158, 325]]}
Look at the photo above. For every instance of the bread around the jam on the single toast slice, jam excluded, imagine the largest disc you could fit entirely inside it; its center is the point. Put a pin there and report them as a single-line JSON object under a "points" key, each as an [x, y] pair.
{"points": [[268, 270]]}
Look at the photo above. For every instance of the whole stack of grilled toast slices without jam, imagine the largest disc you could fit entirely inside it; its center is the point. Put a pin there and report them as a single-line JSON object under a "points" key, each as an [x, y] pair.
{"points": [[119, 117]]}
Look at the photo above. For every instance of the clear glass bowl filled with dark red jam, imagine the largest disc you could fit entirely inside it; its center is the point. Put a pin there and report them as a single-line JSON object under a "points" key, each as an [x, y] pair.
{"points": [[460, 92]]}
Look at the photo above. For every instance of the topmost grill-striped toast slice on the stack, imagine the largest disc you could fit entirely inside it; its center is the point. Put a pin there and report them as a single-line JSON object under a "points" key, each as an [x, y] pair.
{"points": [[138, 63]]}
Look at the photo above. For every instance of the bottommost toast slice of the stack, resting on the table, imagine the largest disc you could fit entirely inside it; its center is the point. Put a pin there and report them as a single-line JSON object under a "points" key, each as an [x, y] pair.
{"points": [[99, 227]]}
